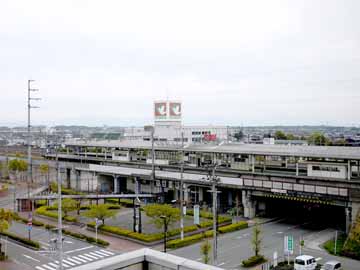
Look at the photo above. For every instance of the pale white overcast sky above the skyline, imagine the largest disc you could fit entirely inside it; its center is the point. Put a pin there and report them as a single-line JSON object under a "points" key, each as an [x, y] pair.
{"points": [[229, 62]]}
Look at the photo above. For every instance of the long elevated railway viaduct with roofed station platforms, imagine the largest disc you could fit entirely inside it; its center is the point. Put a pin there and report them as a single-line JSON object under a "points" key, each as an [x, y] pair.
{"points": [[304, 180]]}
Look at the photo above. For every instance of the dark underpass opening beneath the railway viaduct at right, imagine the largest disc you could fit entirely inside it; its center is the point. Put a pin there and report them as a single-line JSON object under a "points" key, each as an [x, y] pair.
{"points": [[311, 212]]}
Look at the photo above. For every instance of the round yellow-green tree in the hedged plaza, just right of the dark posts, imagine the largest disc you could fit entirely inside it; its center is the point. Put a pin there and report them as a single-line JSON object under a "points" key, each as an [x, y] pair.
{"points": [[162, 214]]}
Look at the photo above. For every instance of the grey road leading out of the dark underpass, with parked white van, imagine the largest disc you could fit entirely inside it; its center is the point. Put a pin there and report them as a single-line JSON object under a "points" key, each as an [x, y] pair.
{"points": [[235, 247]]}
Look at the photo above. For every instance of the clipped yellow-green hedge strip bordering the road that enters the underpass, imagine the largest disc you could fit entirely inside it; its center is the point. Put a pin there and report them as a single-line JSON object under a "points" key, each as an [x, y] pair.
{"points": [[189, 240]]}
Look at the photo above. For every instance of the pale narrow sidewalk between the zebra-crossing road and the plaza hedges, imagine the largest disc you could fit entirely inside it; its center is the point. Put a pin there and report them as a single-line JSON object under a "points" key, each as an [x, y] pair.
{"points": [[115, 243]]}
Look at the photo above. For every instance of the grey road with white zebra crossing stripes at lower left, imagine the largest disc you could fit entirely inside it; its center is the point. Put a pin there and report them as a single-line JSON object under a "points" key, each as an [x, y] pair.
{"points": [[75, 253]]}
